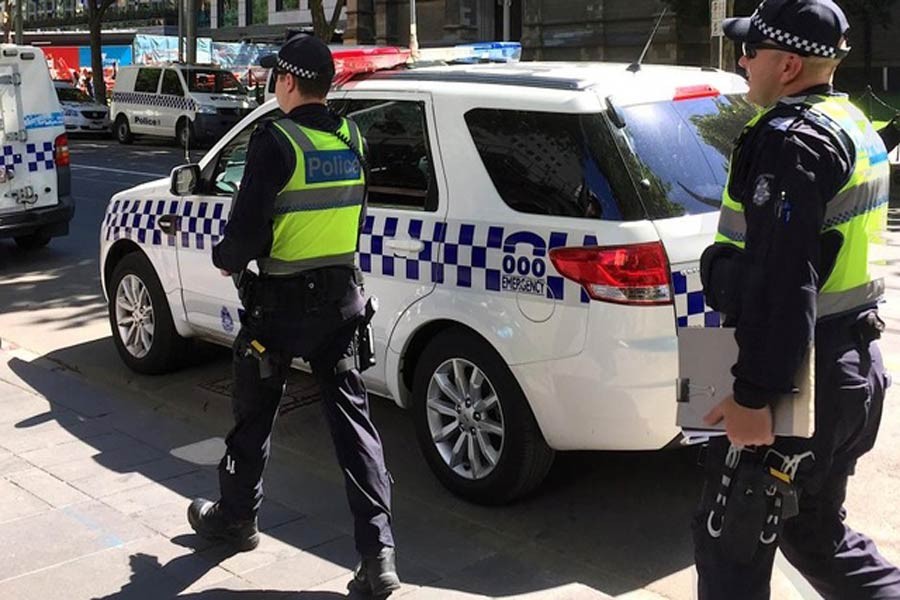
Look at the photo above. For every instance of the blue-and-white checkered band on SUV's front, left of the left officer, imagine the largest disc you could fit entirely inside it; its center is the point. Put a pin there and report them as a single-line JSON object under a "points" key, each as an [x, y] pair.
{"points": [[201, 224]]}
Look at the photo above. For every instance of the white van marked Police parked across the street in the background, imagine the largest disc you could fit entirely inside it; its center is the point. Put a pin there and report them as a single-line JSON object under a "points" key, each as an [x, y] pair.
{"points": [[191, 103]]}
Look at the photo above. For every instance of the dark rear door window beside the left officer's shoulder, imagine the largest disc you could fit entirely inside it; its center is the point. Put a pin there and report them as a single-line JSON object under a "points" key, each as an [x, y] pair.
{"points": [[401, 174]]}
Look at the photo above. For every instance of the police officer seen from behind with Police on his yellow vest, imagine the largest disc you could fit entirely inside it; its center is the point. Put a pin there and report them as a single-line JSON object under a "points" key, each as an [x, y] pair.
{"points": [[298, 213]]}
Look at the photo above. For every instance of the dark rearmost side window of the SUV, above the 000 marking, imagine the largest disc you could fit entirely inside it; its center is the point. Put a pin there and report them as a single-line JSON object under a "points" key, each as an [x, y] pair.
{"points": [[556, 164]]}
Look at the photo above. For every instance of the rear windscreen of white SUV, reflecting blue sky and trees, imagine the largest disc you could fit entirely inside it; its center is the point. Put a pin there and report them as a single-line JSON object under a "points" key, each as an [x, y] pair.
{"points": [[683, 148]]}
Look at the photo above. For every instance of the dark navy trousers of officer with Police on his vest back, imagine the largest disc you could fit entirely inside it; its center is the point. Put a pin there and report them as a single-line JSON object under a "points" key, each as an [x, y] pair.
{"points": [[322, 332]]}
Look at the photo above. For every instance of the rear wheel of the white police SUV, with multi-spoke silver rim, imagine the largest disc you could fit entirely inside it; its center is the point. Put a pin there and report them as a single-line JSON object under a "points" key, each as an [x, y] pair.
{"points": [[473, 421]]}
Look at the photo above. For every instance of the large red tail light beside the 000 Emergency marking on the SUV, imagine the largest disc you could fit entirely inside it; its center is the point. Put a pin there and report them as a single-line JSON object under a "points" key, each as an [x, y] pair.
{"points": [[631, 274]]}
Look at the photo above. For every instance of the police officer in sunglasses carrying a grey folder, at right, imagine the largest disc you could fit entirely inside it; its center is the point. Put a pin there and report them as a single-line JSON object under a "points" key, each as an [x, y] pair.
{"points": [[806, 198]]}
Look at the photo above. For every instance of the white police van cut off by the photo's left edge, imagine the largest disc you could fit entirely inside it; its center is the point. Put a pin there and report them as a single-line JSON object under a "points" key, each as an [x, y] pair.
{"points": [[35, 195]]}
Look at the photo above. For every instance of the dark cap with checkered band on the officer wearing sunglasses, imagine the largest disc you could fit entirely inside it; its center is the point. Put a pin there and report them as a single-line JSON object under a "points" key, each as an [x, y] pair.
{"points": [[807, 27]]}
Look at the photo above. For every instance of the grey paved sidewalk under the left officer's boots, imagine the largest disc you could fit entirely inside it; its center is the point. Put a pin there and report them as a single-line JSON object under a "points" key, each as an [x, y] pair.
{"points": [[93, 493]]}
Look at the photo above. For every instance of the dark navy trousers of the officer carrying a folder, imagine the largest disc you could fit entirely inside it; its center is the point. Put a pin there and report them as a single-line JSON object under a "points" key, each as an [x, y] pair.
{"points": [[840, 563]]}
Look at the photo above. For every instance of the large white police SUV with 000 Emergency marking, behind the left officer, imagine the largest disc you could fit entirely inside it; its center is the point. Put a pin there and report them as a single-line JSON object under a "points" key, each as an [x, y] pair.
{"points": [[533, 235]]}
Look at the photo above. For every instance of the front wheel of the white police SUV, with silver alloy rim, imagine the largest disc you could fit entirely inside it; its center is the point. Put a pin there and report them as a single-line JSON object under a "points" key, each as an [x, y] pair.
{"points": [[141, 321]]}
